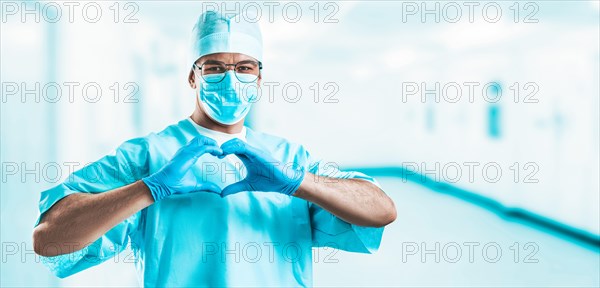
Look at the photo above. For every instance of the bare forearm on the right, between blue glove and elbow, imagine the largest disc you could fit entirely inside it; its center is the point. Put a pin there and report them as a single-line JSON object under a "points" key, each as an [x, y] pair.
{"points": [[353, 200]]}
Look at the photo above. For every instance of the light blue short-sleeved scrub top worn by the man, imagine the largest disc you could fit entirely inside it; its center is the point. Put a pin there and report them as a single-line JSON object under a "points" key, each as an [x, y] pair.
{"points": [[201, 239]]}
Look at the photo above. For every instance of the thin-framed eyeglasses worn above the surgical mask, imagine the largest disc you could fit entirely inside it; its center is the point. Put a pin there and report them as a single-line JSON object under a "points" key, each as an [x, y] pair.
{"points": [[246, 71]]}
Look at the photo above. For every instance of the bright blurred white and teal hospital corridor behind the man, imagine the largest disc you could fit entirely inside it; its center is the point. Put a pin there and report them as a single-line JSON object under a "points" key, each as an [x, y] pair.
{"points": [[479, 119]]}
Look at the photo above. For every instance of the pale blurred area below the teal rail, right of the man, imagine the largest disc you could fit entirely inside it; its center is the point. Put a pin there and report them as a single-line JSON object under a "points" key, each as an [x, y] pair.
{"points": [[516, 255]]}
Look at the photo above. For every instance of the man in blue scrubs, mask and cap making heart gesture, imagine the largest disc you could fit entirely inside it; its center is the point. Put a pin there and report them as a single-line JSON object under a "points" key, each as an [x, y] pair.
{"points": [[170, 195]]}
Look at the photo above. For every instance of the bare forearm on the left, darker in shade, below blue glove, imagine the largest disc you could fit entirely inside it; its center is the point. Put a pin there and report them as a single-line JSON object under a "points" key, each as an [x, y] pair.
{"points": [[81, 218]]}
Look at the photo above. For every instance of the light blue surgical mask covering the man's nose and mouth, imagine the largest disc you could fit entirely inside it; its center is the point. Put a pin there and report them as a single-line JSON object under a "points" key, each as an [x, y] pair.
{"points": [[229, 100]]}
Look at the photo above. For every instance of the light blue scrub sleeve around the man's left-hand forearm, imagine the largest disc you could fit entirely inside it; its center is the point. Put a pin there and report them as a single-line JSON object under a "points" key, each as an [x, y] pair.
{"points": [[125, 166]]}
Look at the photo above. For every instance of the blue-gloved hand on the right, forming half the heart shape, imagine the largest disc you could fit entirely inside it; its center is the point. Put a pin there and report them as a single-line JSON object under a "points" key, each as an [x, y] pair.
{"points": [[264, 173]]}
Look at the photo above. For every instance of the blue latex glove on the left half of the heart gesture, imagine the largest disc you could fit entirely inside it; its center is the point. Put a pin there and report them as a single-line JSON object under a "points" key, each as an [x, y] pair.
{"points": [[176, 178]]}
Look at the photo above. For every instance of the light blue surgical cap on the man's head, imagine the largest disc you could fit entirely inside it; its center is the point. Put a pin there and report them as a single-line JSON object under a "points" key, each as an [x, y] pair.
{"points": [[231, 33]]}
